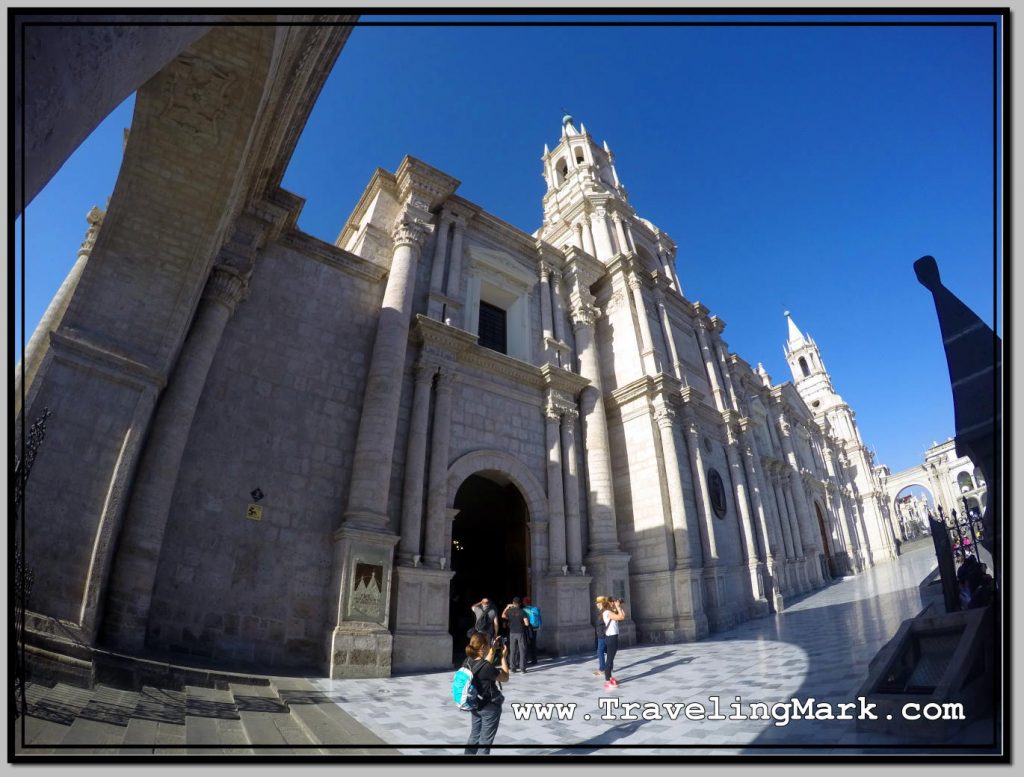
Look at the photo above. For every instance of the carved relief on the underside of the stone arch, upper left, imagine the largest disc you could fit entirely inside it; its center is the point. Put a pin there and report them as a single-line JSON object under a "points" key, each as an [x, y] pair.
{"points": [[198, 96]]}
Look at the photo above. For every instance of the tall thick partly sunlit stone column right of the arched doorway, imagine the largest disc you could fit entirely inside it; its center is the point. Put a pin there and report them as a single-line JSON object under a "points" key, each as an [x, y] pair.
{"points": [[604, 536]]}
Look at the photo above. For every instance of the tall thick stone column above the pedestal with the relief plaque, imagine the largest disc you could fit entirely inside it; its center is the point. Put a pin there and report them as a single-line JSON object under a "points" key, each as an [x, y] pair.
{"points": [[369, 487]]}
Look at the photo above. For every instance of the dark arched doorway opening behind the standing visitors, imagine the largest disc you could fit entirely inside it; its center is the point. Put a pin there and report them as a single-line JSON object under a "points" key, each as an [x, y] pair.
{"points": [[490, 550]]}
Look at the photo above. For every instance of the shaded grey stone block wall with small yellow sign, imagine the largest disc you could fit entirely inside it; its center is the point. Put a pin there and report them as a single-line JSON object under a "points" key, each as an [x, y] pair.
{"points": [[280, 413]]}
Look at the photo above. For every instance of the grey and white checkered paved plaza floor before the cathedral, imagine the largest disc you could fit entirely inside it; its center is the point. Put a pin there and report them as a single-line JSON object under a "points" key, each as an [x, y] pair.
{"points": [[820, 647]]}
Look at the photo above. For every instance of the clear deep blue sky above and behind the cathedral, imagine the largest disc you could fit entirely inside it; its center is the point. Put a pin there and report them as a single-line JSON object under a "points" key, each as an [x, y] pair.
{"points": [[800, 169]]}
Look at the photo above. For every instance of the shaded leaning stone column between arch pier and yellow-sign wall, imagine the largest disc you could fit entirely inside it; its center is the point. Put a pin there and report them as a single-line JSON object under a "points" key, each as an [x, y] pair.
{"points": [[131, 591]]}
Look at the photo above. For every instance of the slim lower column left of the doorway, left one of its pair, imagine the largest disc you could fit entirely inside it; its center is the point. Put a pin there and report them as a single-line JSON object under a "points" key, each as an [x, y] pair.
{"points": [[410, 550]]}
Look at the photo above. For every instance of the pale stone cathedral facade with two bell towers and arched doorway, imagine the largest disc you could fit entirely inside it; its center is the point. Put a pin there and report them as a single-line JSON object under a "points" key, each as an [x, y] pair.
{"points": [[356, 442]]}
